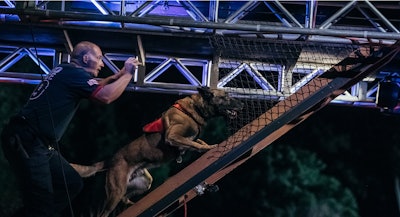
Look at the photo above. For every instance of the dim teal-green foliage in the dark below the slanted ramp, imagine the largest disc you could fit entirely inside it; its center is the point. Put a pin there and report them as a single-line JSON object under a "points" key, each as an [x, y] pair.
{"points": [[281, 181]]}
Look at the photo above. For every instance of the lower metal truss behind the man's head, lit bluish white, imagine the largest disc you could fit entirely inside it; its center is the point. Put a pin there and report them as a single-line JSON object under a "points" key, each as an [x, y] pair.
{"points": [[196, 72]]}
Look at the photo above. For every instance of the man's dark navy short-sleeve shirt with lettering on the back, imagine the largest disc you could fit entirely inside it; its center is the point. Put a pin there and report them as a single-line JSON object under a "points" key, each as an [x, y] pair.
{"points": [[55, 100]]}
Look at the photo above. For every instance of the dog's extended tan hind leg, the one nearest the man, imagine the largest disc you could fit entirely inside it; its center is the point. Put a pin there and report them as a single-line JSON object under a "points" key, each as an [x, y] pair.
{"points": [[116, 185]]}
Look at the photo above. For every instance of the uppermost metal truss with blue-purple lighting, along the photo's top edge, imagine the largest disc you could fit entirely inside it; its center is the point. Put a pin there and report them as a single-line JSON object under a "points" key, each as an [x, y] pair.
{"points": [[236, 17]]}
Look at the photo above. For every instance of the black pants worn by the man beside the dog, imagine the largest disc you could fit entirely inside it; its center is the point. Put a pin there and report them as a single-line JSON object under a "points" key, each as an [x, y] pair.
{"points": [[47, 181]]}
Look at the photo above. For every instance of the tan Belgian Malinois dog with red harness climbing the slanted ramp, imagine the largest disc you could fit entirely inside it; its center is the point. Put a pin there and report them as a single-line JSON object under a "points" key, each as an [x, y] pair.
{"points": [[166, 139]]}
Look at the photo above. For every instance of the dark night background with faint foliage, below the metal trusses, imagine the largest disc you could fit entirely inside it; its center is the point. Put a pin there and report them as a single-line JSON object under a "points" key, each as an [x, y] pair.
{"points": [[342, 161]]}
